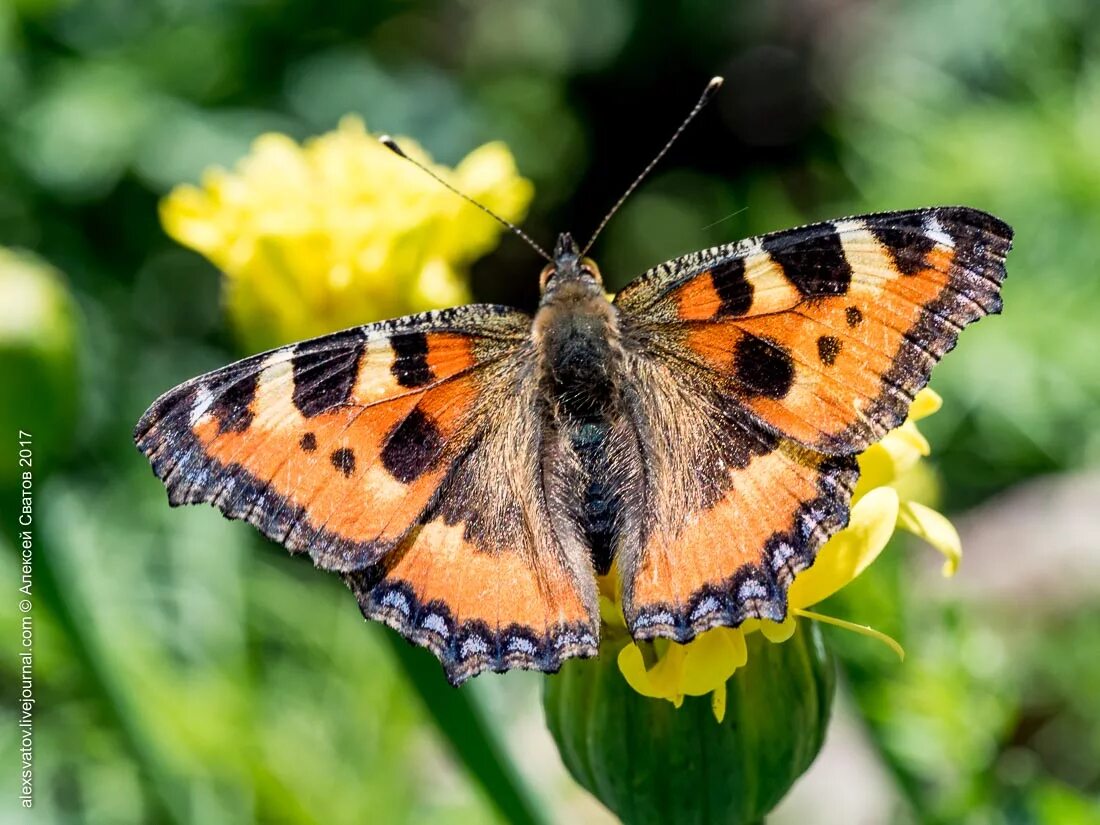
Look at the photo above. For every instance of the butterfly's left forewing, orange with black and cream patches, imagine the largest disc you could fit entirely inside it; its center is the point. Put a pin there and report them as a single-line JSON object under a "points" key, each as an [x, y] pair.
{"points": [[331, 447]]}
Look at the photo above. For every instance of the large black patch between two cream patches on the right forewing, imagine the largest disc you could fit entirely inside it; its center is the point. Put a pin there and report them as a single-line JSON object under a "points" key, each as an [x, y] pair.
{"points": [[812, 260]]}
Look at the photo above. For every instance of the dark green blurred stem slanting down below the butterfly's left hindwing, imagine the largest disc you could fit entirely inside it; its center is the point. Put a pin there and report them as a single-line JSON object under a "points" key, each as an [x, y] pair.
{"points": [[464, 727]]}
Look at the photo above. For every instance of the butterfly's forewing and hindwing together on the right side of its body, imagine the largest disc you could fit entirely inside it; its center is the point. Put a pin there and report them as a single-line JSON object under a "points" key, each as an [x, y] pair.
{"points": [[804, 348]]}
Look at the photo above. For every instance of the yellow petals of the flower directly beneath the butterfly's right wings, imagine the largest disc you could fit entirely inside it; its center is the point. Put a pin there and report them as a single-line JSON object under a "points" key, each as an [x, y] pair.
{"points": [[890, 477]]}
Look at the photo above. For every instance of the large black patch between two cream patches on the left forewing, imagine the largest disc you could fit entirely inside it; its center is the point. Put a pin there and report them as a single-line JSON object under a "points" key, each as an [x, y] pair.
{"points": [[325, 371]]}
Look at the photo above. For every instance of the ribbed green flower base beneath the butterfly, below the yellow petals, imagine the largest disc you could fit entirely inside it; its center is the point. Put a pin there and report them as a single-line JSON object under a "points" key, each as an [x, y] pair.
{"points": [[653, 763]]}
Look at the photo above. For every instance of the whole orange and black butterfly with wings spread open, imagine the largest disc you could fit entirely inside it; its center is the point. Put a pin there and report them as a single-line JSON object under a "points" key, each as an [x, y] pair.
{"points": [[469, 472]]}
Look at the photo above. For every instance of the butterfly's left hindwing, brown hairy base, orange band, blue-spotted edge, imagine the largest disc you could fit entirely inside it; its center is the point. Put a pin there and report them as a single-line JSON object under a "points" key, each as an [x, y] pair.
{"points": [[490, 579]]}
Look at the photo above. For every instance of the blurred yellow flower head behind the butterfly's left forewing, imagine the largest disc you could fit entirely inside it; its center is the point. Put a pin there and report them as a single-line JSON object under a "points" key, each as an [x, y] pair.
{"points": [[340, 232]]}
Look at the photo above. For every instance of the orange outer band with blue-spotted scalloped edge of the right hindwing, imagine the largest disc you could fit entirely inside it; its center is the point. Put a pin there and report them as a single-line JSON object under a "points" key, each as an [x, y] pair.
{"points": [[736, 558]]}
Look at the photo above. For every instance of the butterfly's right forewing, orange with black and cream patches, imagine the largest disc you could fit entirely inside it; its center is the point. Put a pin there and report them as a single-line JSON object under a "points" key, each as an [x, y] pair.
{"points": [[827, 333]]}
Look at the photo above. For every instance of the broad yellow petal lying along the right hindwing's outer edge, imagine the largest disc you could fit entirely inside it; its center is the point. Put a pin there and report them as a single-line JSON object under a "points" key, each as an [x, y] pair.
{"points": [[846, 555]]}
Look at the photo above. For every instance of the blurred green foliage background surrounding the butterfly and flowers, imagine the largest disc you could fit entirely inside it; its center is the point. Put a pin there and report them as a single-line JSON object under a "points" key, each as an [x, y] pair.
{"points": [[188, 672]]}
